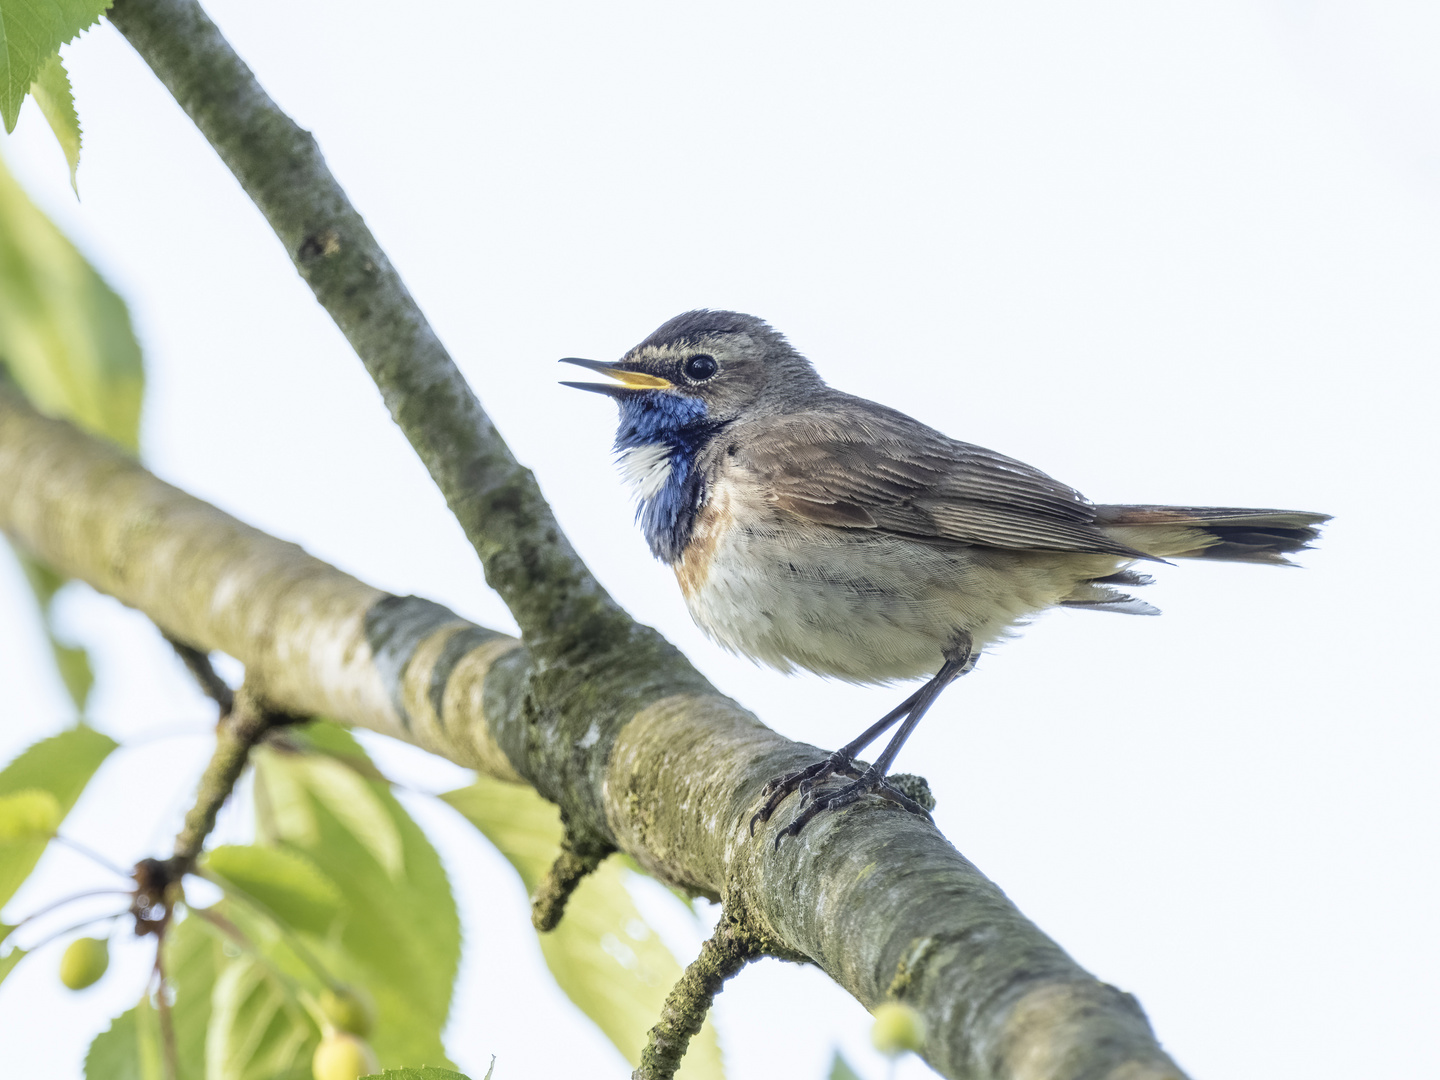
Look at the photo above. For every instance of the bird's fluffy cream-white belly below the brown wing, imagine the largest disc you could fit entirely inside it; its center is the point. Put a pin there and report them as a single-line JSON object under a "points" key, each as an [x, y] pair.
{"points": [[860, 606]]}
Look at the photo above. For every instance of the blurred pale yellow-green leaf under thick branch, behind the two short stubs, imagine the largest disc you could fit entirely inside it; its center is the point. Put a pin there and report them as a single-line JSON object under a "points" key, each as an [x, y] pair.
{"points": [[603, 955]]}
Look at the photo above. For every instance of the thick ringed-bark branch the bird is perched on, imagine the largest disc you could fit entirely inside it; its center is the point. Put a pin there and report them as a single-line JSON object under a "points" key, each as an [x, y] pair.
{"points": [[875, 896]]}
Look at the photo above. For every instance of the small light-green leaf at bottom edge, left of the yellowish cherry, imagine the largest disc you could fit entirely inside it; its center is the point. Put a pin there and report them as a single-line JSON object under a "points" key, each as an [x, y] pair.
{"points": [[257, 1030]]}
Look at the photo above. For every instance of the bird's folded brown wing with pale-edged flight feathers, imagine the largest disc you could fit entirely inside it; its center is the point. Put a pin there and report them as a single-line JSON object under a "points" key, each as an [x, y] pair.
{"points": [[860, 466]]}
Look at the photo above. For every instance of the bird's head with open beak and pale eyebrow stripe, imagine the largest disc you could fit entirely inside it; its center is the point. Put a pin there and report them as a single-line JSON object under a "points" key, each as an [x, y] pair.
{"points": [[701, 372]]}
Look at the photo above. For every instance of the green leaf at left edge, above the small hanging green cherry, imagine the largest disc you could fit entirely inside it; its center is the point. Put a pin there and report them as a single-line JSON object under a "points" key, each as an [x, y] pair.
{"points": [[57, 770]]}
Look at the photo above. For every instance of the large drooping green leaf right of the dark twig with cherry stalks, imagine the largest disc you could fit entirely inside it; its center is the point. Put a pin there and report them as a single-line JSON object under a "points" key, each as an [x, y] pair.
{"points": [[398, 934]]}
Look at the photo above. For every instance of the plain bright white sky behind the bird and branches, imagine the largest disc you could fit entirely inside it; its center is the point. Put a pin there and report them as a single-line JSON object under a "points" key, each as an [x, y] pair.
{"points": [[1167, 253]]}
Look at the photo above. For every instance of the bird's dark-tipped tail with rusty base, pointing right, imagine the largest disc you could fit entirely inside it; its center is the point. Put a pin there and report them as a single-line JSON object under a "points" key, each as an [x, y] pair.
{"points": [[1241, 536]]}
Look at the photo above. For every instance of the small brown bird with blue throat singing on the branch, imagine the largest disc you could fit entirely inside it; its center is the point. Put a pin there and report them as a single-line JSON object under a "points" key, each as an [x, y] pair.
{"points": [[814, 529]]}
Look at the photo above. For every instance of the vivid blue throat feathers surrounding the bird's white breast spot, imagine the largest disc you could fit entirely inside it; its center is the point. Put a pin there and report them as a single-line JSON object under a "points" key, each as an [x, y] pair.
{"points": [[657, 417]]}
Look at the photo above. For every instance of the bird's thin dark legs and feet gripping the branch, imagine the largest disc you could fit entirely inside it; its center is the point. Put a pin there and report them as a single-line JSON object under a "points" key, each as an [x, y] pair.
{"points": [[958, 662]]}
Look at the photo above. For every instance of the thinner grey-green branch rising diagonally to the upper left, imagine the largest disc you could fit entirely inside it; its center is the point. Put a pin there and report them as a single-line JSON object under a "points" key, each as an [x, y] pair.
{"points": [[529, 562]]}
